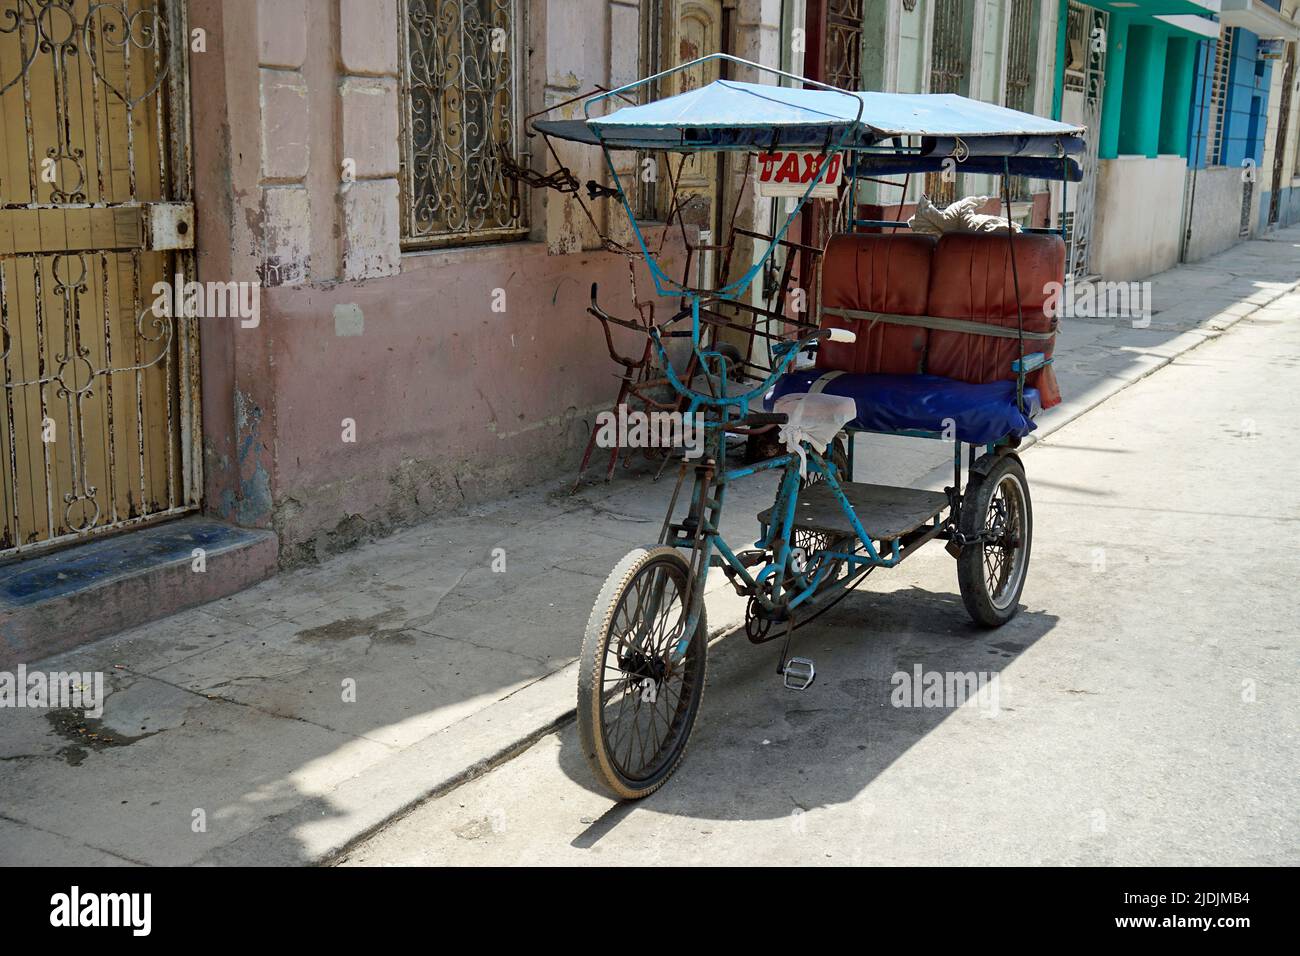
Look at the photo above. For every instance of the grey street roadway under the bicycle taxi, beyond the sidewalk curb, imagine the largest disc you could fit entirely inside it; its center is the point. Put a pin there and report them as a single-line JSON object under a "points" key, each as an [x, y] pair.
{"points": [[1147, 699]]}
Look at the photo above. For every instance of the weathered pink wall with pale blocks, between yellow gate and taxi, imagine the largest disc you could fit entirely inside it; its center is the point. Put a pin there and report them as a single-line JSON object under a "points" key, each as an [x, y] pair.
{"points": [[453, 403]]}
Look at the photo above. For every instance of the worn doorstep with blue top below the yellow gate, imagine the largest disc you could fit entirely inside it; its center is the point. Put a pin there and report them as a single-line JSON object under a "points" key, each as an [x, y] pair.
{"points": [[68, 598]]}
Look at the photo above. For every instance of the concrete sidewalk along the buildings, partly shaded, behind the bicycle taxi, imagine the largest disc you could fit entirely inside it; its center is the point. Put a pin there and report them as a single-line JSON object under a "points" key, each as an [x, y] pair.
{"points": [[280, 725]]}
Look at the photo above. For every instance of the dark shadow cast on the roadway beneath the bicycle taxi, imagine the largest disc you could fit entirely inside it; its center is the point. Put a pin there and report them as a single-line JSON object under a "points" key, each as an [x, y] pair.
{"points": [[762, 752]]}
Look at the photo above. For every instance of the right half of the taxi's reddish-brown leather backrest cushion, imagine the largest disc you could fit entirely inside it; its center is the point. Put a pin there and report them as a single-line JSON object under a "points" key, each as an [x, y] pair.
{"points": [[972, 279]]}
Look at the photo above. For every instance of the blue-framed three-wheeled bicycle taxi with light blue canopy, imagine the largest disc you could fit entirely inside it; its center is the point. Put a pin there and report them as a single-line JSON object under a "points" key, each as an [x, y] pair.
{"points": [[941, 339]]}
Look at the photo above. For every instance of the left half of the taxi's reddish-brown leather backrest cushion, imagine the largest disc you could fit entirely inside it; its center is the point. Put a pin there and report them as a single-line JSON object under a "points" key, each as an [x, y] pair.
{"points": [[877, 274]]}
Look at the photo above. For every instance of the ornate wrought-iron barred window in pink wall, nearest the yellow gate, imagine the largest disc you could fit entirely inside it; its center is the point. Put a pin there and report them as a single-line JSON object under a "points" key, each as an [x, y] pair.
{"points": [[462, 97]]}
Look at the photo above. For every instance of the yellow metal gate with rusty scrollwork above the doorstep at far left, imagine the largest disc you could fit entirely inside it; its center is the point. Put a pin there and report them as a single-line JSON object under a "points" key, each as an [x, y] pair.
{"points": [[99, 412]]}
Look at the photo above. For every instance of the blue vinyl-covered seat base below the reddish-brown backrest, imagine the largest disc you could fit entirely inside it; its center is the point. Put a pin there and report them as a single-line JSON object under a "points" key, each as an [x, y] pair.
{"points": [[981, 414]]}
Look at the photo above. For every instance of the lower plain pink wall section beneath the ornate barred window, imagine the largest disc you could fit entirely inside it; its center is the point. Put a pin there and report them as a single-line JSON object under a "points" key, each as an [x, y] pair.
{"points": [[453, 403]]}
